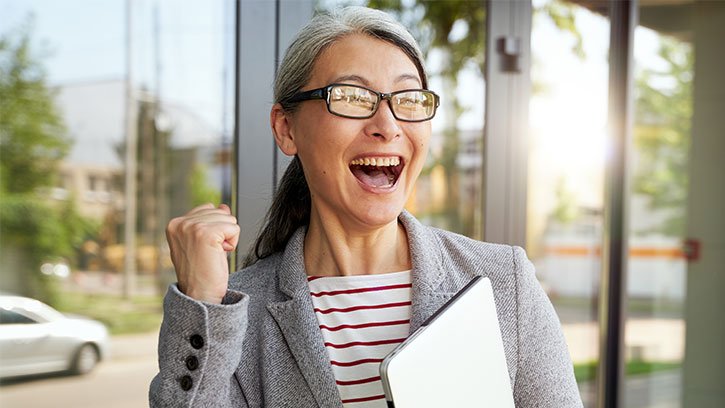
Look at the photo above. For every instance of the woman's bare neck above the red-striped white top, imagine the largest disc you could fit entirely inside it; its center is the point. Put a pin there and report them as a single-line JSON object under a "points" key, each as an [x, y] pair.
{"points": [[334, 247]]}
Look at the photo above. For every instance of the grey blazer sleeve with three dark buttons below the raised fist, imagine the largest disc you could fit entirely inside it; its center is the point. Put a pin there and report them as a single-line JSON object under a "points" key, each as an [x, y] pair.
{"points": [[200, 347]]}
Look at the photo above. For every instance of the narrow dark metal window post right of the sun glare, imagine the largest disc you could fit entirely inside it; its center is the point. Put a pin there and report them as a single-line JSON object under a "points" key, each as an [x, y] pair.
{"points": [[623, 15]]}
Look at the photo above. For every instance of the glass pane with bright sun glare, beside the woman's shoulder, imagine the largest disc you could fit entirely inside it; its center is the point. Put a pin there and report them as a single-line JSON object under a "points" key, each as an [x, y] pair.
{"points": [[568, 114]]}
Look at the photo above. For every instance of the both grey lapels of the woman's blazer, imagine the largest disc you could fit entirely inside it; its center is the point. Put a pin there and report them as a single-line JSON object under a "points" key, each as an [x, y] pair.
{"points": [[297, 320]]}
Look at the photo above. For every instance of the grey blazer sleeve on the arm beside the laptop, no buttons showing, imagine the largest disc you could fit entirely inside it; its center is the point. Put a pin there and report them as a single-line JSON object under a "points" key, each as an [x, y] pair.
{"points": [[544, 375]]}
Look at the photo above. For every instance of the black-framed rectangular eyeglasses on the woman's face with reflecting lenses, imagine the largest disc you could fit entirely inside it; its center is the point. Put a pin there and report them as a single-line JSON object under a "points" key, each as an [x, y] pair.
{"points": [[358, 102]]}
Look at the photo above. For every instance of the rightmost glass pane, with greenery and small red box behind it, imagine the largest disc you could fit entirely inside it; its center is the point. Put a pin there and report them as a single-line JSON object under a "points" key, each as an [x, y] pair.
{"points": [[674, 329]]}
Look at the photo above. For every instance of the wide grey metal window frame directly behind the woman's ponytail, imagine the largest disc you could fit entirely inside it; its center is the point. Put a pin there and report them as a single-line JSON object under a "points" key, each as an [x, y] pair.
{"points": [[263, 31]]}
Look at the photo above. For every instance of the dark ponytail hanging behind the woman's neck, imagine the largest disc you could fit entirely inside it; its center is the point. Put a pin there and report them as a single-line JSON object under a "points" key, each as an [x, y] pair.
{"points": [[290, 210]]}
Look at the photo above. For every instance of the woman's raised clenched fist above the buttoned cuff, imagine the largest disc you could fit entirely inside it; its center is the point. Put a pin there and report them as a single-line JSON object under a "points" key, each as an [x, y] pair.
{"points": [[199, 242]]}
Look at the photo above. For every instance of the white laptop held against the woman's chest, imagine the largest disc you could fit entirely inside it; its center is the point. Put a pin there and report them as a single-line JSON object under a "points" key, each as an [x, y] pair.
{"points": [[455, 359]]}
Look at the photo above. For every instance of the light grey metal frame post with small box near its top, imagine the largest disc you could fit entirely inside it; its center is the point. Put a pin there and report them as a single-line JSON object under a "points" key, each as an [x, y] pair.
{"points": [[508, 83]]}
